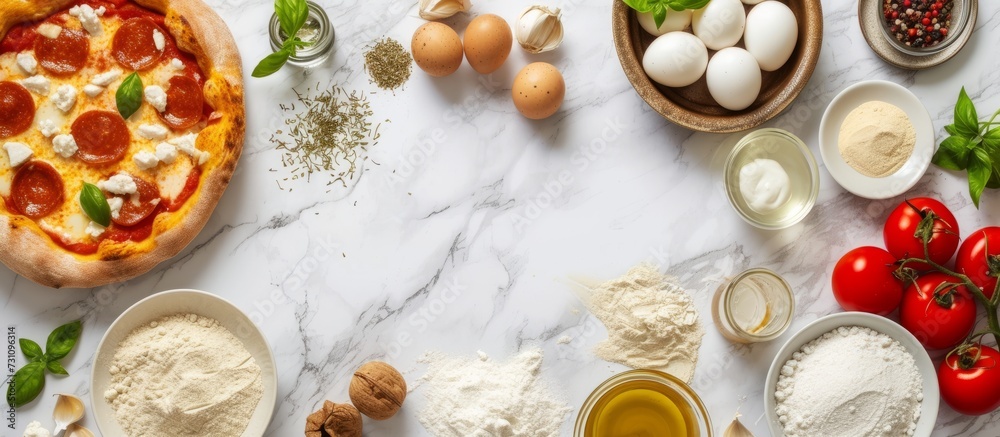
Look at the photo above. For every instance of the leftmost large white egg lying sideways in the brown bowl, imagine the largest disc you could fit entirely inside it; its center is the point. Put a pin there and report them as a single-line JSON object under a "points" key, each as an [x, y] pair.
{"points": [[675, 59]]}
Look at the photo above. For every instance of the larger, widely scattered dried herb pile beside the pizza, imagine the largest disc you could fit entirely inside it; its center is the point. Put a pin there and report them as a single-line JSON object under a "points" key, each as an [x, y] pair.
{"points": [[327, 133]]}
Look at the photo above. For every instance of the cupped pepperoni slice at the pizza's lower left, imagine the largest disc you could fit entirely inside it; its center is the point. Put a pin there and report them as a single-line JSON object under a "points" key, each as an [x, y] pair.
{"points": [[37, 190]]}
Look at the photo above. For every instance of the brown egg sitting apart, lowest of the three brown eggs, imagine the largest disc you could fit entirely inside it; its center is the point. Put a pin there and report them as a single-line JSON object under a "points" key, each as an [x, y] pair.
{"points": [[538, 90]]}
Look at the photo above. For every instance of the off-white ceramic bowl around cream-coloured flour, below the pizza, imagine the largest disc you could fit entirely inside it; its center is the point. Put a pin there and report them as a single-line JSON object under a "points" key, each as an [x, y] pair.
{"points": [[183, 301]]}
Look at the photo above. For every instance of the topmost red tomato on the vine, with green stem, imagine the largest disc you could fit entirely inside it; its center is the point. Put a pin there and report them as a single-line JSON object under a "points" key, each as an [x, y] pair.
{"points": [[903, 224]]}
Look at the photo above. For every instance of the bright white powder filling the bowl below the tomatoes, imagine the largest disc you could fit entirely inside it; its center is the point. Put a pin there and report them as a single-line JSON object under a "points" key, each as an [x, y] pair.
{"points": [[850, 382]]}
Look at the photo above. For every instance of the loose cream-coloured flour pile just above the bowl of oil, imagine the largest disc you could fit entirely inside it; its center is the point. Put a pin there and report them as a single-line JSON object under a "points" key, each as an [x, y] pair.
{"points": [[652, 322]]}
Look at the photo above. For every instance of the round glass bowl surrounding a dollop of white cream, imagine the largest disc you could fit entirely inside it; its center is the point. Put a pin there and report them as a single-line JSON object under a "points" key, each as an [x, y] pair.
{"points": [[796, 159]]}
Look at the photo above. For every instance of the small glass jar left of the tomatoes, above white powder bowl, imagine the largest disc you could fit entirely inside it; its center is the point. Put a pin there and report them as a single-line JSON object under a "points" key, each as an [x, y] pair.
{"points": [[756, 305]]}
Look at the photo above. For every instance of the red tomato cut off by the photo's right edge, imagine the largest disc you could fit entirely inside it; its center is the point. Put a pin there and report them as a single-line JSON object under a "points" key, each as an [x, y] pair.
{"points": [[979, 258]]}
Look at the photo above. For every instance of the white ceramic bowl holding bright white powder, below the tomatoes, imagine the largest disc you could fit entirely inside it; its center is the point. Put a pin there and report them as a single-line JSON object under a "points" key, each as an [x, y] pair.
{"points": [[928, 407]]}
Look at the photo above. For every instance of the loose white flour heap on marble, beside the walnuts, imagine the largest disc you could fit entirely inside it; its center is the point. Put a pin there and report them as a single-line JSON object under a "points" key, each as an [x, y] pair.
{"points": [[477, 397]]}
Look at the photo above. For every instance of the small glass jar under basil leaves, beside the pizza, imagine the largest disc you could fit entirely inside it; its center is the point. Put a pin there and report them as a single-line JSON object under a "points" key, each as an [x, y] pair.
{"points": [[317, 30]]}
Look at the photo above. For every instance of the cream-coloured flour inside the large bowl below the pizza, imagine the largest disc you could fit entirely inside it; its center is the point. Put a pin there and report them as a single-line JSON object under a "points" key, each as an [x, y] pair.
{"points": [[183, 375]]}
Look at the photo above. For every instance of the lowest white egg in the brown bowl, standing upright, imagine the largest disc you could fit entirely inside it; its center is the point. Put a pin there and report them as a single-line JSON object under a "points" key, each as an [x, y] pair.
{"points": [[733, 78]]}
